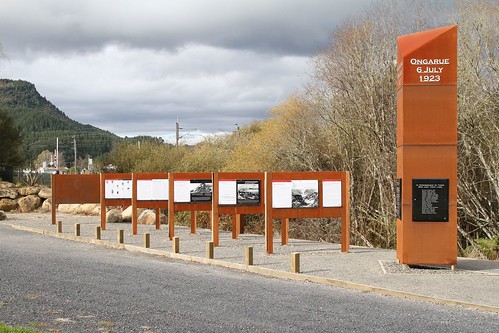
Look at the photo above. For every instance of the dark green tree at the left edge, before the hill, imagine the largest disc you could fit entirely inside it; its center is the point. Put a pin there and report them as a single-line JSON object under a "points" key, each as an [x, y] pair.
{"points": [[11, 153]]}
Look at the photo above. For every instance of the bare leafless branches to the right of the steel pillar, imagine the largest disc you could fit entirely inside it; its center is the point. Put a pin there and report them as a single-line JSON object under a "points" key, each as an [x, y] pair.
{"points": [[478, 150]]}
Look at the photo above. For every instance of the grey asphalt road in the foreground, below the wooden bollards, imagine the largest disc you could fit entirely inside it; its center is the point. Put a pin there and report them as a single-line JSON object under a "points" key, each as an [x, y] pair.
{"points": [[57, 285]]}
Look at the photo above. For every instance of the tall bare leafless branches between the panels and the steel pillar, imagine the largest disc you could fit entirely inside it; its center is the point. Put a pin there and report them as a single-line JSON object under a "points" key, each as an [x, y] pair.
{"points": [[353, 91]]}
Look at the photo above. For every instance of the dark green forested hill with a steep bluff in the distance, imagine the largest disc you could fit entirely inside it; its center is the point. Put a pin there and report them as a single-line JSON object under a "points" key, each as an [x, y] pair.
{"points": [[41, 123]]}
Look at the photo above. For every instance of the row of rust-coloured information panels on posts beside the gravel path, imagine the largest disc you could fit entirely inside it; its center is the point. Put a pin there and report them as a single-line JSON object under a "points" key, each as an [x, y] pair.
{"points": [[277, 195]]}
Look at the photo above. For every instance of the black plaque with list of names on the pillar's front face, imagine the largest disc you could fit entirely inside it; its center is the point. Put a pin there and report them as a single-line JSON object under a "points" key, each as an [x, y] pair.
{"points": [[430, 200]]}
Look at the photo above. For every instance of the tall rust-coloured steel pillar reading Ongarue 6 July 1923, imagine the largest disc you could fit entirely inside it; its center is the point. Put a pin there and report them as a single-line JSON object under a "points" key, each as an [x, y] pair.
{"points": [[427, 147]]}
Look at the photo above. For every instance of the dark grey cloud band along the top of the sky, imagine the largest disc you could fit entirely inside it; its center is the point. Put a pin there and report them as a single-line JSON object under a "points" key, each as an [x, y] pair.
{"points": [[278, 26]]}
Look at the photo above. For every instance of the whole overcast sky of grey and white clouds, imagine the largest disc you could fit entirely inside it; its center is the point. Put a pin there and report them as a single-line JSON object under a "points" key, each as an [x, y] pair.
{"points": [[133, 66]]}
